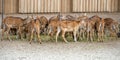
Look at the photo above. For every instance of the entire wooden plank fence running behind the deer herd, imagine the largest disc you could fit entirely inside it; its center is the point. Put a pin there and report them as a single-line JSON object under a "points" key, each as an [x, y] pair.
{"points": [[46, 6]]}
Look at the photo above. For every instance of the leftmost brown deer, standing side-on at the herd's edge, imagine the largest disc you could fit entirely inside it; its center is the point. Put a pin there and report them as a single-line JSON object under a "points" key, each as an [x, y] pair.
{"points": [[11, 22]]}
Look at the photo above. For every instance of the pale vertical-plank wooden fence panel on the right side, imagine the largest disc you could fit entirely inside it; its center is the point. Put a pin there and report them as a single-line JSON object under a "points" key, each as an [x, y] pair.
{"points": [[95, 5]]}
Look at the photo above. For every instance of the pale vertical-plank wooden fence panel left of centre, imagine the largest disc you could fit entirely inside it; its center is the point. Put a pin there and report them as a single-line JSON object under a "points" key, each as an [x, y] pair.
{"points": [[36, 6]]}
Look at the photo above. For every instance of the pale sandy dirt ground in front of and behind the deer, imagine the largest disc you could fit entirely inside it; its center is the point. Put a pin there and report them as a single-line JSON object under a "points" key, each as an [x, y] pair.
{"points": [[22, 50]]}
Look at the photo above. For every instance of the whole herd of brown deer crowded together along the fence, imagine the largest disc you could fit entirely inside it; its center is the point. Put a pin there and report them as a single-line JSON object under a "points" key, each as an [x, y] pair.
{"points": [[82, 27]]}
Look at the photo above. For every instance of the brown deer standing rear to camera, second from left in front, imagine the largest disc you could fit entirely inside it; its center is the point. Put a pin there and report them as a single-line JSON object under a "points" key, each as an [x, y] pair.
{"points": [[33, 27]]}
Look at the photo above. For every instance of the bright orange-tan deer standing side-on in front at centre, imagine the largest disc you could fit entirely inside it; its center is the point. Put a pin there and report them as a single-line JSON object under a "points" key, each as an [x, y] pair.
{"points": [[68, 26]]}
